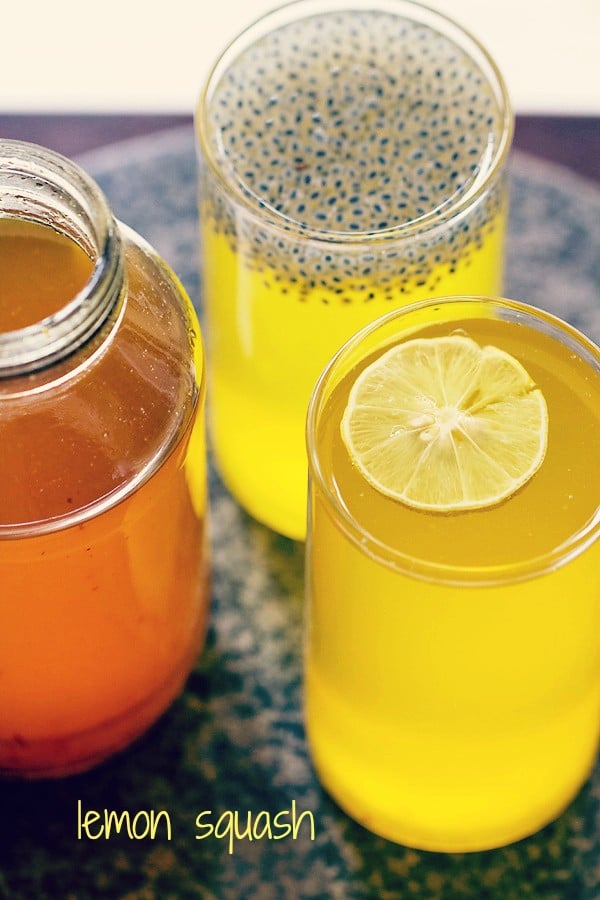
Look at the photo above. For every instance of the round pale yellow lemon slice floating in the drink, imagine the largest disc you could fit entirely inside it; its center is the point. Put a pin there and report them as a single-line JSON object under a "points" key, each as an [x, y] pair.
{"points": [[444, 424]]}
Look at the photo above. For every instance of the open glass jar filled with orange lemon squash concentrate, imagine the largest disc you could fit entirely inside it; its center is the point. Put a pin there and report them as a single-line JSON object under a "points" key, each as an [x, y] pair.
{"points": [[103, 546]]}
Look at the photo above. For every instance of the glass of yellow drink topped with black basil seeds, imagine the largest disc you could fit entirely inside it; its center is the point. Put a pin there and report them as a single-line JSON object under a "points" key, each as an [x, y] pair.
{"points": [[353, 160]]}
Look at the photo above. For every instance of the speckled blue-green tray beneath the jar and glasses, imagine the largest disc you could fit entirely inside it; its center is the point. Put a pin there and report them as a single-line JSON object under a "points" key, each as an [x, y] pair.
{"points": [[234, 740]]}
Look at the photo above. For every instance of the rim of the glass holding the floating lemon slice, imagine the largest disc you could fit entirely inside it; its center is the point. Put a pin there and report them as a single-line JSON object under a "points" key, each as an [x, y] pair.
{"points": [[403, 562]]}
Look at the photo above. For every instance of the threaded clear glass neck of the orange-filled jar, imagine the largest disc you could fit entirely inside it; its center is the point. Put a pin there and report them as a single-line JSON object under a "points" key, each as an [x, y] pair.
{"points": [[44, 187]]}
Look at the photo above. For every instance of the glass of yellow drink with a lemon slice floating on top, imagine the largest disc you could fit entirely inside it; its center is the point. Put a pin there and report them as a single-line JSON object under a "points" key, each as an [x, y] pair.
{"points": [[452, 653]]}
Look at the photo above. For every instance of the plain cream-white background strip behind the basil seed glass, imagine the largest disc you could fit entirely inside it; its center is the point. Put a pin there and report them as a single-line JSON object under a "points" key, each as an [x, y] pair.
{"points": [[151, 56]]}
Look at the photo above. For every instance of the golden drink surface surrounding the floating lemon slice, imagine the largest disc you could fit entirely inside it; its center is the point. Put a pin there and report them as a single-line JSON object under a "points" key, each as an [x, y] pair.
{"points": [[558, 501]]}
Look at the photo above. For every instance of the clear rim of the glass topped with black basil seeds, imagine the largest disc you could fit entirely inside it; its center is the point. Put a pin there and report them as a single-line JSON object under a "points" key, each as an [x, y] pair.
{"points": [[429, 222]]}
